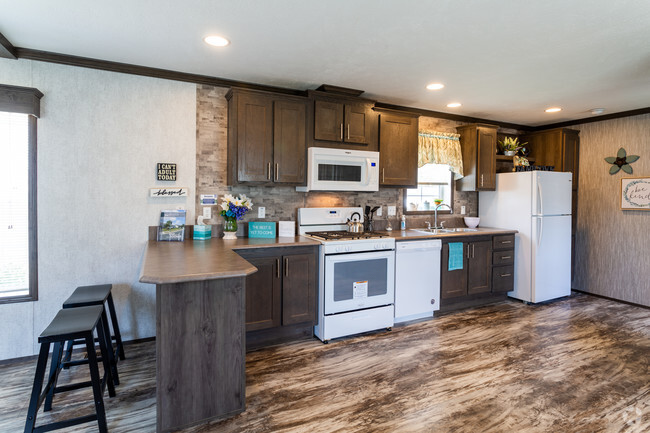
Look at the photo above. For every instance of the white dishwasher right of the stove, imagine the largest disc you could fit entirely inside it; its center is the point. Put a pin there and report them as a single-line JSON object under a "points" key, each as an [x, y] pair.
{"points": [[417, 279]]}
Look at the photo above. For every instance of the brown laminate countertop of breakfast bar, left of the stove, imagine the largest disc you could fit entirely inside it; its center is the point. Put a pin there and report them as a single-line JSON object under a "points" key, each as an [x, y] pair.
{"points": [[177, 262]]}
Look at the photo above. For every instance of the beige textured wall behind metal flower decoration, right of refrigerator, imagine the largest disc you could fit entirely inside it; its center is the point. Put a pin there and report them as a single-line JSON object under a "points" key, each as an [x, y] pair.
{"points": [[612, 246]]}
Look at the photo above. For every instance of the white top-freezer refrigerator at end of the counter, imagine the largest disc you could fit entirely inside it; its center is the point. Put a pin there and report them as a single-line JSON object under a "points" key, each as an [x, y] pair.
{"points": [[538, 205]]}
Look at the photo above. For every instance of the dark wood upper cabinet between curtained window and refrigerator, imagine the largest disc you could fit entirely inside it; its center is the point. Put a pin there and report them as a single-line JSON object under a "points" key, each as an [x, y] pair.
{"points": [[479, 146]]}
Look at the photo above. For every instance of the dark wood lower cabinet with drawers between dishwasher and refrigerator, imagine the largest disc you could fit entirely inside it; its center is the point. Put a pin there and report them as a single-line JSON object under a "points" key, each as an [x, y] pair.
{"points": [[479, 281]]}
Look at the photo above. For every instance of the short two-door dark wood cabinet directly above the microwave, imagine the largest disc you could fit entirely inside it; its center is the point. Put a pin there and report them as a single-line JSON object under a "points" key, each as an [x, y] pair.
{"points": [[340, 120]]}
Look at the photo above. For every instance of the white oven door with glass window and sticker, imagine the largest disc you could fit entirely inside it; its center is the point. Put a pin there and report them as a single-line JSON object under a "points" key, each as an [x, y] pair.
{"points": [[359, 280]]}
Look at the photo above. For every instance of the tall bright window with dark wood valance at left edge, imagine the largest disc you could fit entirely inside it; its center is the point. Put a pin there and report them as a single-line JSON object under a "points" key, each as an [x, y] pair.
{"points": [[18, 233]]}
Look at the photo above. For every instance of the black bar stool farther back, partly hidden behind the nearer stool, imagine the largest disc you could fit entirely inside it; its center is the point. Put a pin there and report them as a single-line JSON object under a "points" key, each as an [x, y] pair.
{"points": [[84, 296]]}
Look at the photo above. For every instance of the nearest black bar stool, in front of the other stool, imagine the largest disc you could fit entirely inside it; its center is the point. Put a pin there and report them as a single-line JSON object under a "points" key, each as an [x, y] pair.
{"points": [[71, 324]]}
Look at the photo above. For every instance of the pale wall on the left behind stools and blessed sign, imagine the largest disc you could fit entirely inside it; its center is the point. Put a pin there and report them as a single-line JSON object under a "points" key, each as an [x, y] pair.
{"points": [[100, 136]]}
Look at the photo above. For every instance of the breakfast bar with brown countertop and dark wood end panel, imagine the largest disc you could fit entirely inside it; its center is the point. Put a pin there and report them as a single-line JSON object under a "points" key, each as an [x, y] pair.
{"points": [[200, 326]]}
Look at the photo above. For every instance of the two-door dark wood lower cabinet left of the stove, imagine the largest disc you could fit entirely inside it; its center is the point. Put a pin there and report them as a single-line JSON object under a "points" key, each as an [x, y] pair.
{"points": [[281, 295]]}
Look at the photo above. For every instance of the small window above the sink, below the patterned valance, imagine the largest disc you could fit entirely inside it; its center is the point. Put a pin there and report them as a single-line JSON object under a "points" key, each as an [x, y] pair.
{"points": [[435, 182]]}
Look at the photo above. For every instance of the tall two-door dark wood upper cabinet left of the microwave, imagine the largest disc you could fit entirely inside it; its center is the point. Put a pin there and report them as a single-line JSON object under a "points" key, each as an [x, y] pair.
{"points": [[267, 139]]}
